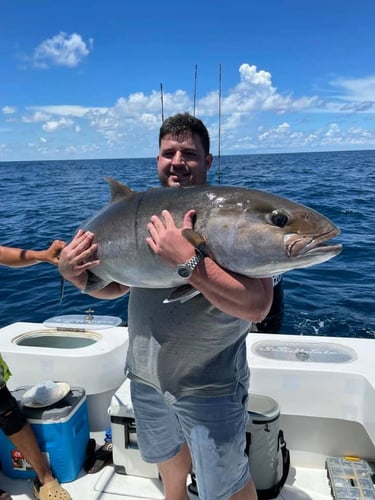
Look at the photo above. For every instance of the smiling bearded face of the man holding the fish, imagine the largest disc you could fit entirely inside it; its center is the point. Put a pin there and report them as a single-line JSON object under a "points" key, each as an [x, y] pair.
{"points": [[182, 162]]}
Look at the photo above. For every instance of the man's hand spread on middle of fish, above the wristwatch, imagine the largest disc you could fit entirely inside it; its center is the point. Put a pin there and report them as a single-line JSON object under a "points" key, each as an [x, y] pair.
{"points": [[166, 239]]}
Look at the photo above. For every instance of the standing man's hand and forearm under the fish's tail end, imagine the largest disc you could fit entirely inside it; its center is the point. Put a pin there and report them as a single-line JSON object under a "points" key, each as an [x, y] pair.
{"points": [[77, 258]]}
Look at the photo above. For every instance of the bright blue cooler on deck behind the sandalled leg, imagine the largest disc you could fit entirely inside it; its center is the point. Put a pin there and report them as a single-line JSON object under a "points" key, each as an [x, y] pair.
{"points": [[62, 431]]}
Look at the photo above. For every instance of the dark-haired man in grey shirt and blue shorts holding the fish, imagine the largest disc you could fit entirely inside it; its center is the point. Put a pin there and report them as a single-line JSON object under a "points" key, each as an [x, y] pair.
{"points": [[187, 362]]}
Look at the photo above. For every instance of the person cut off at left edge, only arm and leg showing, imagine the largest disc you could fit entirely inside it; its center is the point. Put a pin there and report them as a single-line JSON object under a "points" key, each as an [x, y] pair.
{"points": [[12, 422]]}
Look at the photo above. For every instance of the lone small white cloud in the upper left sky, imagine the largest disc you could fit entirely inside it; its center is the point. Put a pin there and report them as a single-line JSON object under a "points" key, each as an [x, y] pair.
{"points": [[62, 50]]}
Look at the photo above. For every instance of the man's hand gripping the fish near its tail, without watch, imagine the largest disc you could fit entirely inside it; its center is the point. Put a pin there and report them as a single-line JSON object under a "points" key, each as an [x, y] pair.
{"points": [[77, 257]]}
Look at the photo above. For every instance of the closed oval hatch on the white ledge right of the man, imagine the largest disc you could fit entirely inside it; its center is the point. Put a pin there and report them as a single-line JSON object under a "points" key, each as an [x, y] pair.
{"points": [[314, 352]]}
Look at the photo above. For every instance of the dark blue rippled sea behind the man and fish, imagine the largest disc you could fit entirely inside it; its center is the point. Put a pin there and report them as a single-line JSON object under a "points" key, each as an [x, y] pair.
{"points": [[45, 200]]}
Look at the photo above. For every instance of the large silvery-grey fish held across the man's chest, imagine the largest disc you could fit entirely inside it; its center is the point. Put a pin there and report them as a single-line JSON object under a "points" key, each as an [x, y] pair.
{"points": [[250, 232]]}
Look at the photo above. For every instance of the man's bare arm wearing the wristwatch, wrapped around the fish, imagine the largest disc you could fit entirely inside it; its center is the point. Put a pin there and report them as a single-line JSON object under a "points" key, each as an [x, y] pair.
{"points": [[246, 298]]}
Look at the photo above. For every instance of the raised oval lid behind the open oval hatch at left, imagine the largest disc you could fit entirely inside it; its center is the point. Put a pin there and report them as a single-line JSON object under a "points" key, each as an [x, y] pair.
{"points": [[83, 321]]}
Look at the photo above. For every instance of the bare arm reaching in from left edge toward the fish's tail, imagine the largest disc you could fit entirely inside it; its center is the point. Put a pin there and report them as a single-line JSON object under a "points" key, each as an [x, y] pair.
{"points": [[17, 257]]}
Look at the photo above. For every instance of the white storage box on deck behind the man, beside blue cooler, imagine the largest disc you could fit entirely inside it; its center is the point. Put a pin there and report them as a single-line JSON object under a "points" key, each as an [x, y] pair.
{"points": [[126, 455]]}
